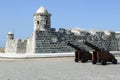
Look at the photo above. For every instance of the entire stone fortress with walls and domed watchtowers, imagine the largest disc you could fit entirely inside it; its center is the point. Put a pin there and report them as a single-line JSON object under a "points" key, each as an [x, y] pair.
{"points": [[45, 39]]}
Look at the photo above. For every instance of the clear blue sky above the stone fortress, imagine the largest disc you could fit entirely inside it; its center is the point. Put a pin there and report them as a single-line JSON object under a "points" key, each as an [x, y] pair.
{"points": [[17, 15]]}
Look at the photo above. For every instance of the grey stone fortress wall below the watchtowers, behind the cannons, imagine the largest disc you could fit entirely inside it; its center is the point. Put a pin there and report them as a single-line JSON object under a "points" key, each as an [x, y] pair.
{"points": [[53, 42]]}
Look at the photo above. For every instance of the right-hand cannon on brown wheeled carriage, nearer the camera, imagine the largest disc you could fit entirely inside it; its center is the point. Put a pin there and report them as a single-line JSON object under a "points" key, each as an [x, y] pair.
{"points": [[100, 55]]}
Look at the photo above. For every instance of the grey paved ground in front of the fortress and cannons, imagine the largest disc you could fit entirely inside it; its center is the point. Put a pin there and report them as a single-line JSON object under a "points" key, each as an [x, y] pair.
{"points": [[56, 69]]}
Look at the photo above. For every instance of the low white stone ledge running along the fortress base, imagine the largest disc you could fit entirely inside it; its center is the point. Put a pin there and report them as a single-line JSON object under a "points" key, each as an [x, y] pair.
{"points": [[43, 55]]}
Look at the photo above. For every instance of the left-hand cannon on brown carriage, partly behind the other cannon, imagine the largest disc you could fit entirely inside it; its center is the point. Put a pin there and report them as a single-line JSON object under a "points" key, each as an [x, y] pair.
{"points": [[81, 55]]}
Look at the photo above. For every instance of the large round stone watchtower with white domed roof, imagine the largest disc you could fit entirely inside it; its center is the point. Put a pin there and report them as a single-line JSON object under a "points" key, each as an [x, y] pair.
{"points": [[42, 19]]}
